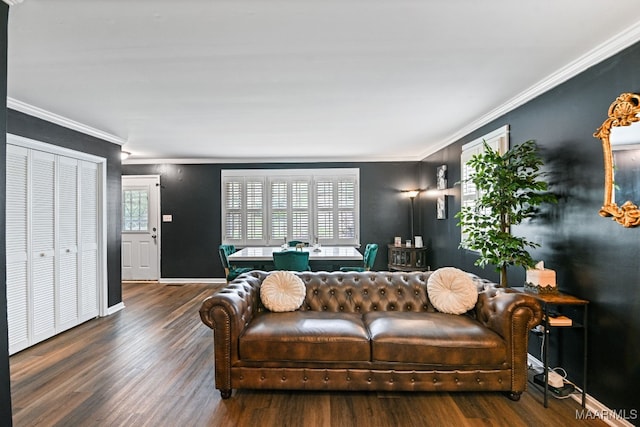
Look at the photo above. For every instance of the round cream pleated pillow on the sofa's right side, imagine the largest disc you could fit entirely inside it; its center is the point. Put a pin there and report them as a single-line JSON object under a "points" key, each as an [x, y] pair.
{"points": [[451, 291]]}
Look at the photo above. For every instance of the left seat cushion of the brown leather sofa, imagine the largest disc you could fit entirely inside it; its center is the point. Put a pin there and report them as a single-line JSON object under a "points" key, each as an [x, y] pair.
{"points": [[306, 336]]}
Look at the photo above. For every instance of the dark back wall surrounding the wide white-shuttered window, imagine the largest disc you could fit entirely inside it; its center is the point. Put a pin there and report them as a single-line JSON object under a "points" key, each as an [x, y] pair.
{"points": [[191, 193]]}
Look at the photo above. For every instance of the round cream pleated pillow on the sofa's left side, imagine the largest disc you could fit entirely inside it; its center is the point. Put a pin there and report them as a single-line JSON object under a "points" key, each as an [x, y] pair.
{"points": [[282, 291]]}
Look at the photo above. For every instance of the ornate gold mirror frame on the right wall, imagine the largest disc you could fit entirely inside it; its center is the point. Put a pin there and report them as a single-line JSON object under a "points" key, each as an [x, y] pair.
{"points": [[622, 112]]}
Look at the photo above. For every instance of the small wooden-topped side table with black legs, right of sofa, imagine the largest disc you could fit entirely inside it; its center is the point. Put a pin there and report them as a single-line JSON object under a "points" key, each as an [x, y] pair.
{"points": [[549, 304]]}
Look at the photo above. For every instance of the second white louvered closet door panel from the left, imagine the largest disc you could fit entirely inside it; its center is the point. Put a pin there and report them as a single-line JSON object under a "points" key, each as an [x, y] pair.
{"points": [[43, 174]]}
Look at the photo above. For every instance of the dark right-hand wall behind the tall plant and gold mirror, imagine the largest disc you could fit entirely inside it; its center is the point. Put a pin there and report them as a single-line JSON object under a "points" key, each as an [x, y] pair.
{"points": [[594, 257]]}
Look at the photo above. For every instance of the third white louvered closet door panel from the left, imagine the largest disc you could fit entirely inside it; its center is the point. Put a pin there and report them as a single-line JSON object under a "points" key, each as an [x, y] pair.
{"points": [[67, 190]]}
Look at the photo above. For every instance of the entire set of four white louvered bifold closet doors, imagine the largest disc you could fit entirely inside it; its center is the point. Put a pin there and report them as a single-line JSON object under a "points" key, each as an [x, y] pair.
{"points": [[53, 243]]}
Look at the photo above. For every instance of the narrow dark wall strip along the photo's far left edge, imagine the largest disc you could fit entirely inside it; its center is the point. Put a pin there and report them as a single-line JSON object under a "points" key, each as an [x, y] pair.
{"points": [[5, 383]]}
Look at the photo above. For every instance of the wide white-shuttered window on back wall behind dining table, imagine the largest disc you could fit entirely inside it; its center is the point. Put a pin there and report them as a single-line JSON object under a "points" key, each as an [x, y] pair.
{"points": [[270, 207]]}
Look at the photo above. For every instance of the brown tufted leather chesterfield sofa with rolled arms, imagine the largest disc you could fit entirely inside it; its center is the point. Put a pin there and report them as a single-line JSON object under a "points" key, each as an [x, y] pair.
{"points": [[369, 331]]}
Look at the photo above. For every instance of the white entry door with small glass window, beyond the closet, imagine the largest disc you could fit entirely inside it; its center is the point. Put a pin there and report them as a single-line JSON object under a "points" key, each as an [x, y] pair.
{"points": [[140, 227]]}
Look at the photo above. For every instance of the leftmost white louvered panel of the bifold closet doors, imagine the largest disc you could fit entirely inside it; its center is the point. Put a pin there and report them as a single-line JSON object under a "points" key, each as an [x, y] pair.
{"points": [[16, 248]]}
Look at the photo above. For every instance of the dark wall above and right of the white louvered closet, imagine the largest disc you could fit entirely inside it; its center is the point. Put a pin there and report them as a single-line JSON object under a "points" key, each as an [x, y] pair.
{"points": [[40, 130]]}
